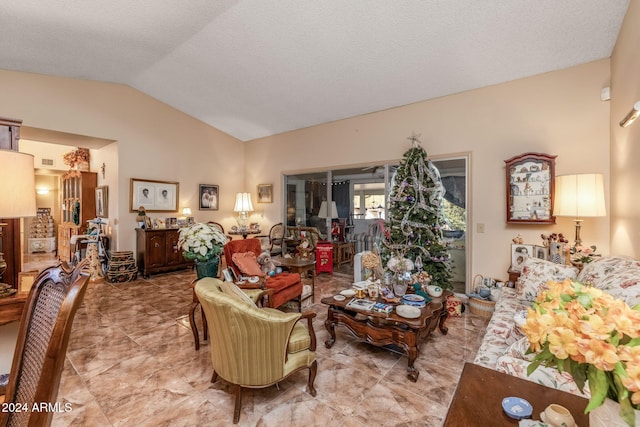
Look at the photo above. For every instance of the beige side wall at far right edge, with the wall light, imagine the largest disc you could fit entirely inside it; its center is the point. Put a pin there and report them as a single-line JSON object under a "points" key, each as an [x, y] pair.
{"points": [[625, 143]]}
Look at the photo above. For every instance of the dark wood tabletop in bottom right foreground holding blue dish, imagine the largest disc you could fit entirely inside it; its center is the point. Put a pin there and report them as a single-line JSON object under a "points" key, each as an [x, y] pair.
{"points": [[478, 399]]}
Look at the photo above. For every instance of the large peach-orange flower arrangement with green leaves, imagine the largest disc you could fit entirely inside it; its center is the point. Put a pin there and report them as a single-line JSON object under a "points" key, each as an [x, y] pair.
{"points": [[593, 336]]}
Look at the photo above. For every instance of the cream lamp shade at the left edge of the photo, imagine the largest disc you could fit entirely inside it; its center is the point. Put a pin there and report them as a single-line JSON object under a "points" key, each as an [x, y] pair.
{"points": [[17, 185]]}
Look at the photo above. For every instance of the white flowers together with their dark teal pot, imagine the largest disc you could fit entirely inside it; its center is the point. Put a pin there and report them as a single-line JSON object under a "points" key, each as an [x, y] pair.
{"points": [[202, 244]]}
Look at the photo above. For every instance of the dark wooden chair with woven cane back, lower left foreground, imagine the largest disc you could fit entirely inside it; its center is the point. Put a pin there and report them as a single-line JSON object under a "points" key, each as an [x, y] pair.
{"points": [[43, 337]]}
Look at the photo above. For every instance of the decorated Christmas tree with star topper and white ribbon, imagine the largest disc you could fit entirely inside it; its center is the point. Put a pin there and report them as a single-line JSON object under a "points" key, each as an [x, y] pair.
{"points": [[415, 217]]}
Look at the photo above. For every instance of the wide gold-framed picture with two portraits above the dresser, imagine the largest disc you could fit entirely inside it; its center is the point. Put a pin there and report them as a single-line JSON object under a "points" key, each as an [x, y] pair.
{"points": [[155, 196]]}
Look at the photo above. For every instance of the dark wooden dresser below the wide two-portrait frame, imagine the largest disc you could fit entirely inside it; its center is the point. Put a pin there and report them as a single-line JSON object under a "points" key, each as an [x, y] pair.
{"points": [[157, 251]]}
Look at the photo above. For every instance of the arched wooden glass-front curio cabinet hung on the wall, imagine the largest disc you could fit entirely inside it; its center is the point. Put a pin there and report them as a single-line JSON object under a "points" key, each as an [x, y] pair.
{"points": [[530, 188]]}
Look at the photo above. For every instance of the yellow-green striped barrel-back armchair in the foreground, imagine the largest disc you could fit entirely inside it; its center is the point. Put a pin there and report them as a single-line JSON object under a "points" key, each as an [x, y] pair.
{"points": [[254, 347]]}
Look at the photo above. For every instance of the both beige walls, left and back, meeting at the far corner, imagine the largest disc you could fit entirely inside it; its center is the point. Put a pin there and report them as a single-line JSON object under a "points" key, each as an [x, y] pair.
{"points": [[557, 113]]}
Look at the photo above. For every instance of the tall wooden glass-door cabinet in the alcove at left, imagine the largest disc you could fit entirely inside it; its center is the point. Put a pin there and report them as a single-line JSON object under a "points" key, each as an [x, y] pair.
{"points": [[78, 206]]}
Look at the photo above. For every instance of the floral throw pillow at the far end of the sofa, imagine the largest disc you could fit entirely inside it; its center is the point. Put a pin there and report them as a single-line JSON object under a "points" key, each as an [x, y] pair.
{"points": [[537, 272]]}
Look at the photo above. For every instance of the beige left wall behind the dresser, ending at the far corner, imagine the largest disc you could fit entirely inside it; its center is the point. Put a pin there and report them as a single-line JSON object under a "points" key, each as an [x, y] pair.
{"points": [[154, 141]]}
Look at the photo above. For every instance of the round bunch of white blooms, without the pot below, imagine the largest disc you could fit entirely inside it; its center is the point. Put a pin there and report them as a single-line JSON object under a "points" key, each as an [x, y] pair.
{"points": [[201, 242]]}
